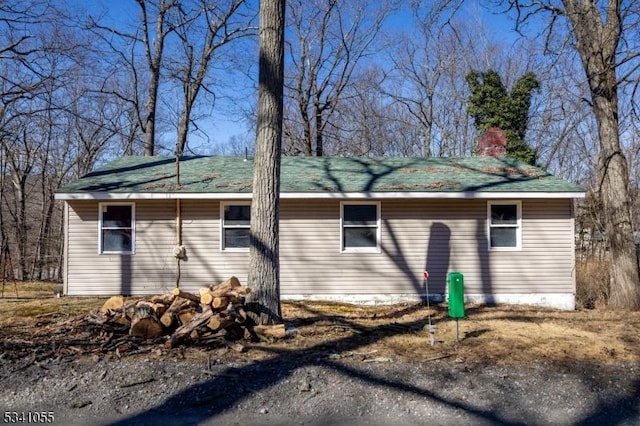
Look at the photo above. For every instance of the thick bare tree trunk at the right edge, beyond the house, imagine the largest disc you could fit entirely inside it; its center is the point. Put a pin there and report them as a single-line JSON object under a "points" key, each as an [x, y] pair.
{"points": [[597, 43]]}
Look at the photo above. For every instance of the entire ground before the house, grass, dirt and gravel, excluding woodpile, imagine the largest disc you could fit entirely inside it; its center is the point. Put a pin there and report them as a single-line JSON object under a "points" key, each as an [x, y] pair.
{"points": [[339, 364]]}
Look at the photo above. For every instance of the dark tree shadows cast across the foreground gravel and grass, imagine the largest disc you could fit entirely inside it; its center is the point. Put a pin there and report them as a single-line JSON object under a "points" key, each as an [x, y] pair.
{"points": [[213, 400]]}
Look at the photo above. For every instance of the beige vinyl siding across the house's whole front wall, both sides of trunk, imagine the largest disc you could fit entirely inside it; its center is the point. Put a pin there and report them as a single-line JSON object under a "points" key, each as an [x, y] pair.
{"points": [[439, 235]]}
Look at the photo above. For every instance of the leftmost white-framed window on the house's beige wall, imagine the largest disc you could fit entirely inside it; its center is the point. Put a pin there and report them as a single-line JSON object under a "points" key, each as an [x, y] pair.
{"points": [[117, 228]]}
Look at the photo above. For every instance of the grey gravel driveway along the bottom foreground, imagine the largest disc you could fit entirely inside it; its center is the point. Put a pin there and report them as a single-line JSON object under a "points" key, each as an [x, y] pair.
{"points": [[322, 391]]}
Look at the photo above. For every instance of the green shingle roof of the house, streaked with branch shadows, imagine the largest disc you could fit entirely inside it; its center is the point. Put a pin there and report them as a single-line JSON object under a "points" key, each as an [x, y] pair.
{"points": [[321, 175]]}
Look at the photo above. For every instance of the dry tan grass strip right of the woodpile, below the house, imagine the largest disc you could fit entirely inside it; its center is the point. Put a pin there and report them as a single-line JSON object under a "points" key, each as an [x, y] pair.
{"points": [[506, 334]]}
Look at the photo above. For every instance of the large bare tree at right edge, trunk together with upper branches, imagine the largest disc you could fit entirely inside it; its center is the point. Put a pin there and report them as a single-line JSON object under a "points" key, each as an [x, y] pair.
{"points": [[605, 36]]}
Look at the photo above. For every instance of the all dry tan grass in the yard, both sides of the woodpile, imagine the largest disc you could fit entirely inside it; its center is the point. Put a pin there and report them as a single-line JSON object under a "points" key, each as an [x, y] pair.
{"points": [[497, 335]]}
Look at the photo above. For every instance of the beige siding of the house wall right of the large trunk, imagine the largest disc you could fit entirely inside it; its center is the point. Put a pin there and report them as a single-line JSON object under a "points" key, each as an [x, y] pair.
{"points": [[441, 236]]}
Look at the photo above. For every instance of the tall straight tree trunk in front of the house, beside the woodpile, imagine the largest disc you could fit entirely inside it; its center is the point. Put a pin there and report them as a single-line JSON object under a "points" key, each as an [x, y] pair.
{"points": [[264, 263]]}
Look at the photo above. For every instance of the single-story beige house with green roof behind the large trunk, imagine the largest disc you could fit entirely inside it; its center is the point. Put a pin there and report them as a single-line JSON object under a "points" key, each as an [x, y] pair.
{"points": [[351, 229]]}
